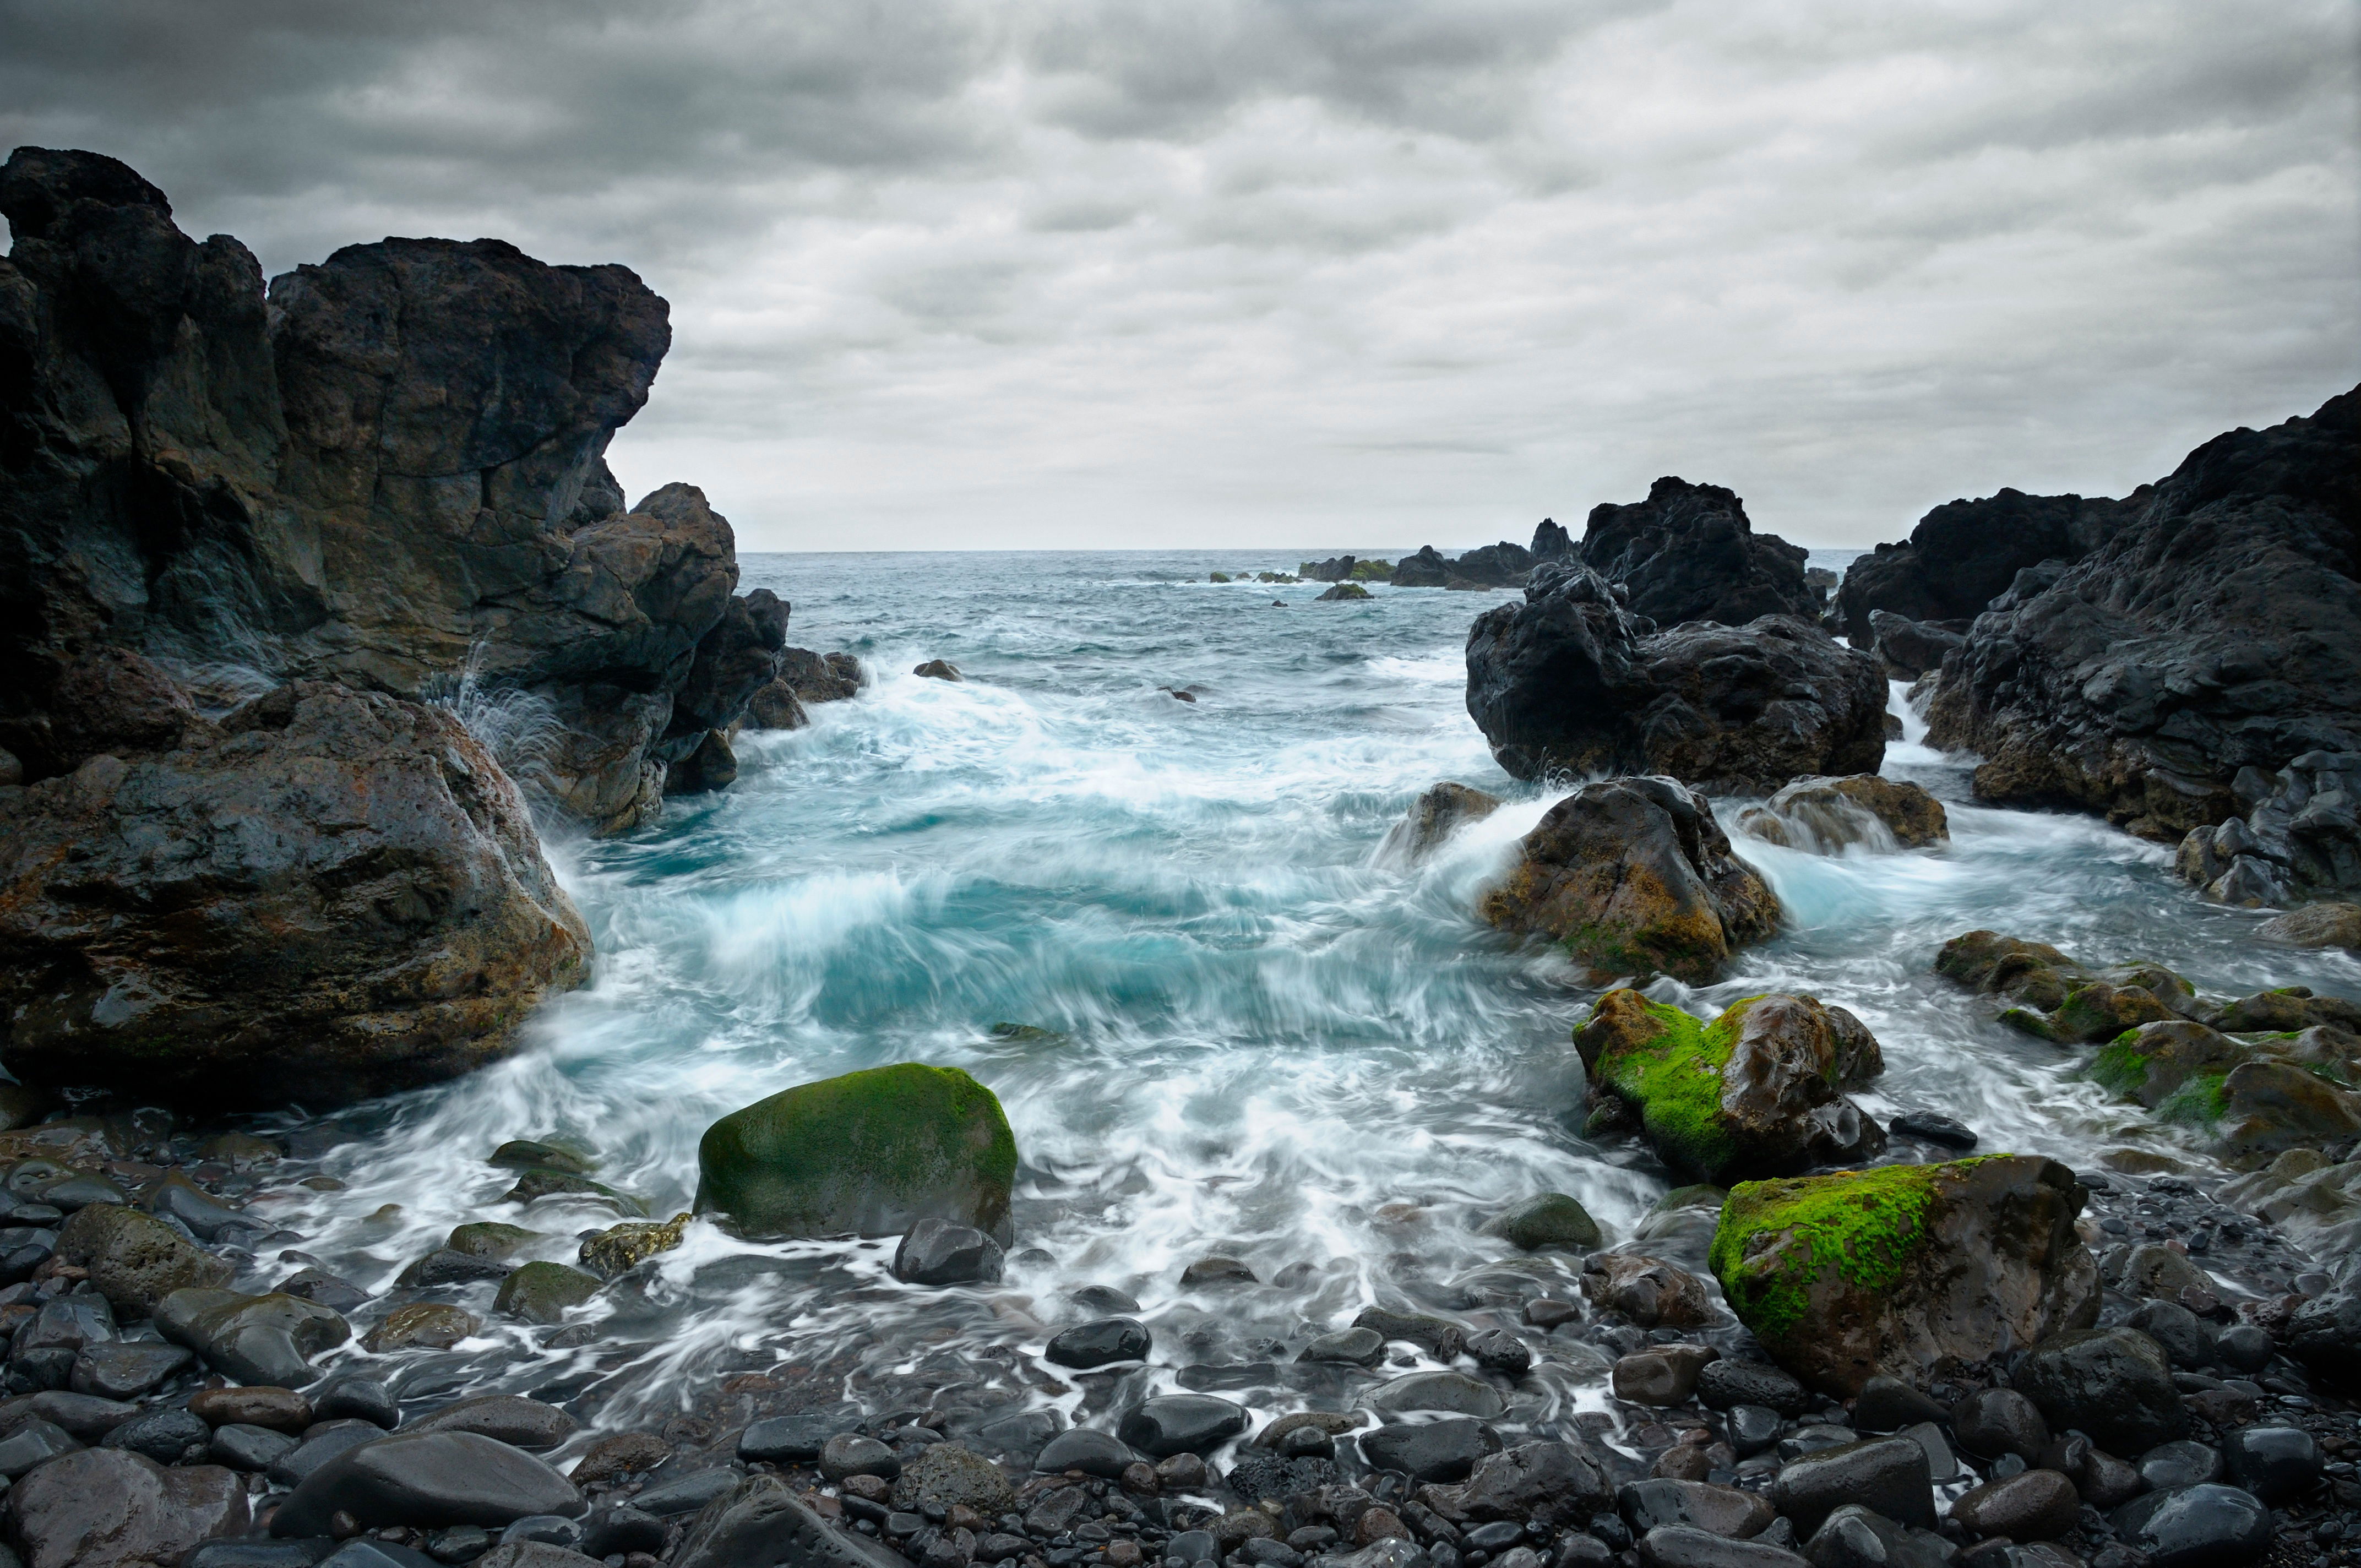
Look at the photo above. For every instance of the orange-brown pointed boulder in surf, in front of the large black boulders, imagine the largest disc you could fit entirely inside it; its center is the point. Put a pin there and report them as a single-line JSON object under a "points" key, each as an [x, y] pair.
{"points": [[1635, 877]]}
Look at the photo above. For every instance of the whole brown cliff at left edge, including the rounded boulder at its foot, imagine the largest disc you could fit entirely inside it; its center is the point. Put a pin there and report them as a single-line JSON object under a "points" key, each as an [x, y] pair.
{"points": [[285, 580]]}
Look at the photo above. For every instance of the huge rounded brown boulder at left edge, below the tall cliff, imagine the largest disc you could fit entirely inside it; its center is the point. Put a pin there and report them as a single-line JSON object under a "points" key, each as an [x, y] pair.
{"points": [[329, 896]]}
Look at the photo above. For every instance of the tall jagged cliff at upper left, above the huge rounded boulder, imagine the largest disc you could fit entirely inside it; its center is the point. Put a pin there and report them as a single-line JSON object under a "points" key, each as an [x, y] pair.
{"points": [[388, 473]]}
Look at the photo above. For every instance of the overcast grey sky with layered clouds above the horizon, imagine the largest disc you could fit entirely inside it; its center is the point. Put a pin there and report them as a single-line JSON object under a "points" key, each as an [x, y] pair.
{"points": [[1319, 273]]}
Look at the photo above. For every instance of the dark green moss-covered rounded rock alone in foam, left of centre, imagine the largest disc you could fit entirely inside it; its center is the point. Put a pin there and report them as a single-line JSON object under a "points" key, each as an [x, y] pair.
{"points": [[870, 1154]]}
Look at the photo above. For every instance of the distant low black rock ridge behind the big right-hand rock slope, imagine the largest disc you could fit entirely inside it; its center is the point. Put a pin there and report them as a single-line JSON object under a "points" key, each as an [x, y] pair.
{"points": [[1966, 554]]}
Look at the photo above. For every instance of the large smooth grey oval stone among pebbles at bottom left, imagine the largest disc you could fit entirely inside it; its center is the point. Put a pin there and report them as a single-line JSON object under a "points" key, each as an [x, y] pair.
{"points": [[426, 1479]]}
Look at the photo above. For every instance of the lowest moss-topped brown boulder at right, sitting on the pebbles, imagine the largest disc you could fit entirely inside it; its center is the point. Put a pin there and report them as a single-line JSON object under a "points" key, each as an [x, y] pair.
{"points": [[1909, 1269]]}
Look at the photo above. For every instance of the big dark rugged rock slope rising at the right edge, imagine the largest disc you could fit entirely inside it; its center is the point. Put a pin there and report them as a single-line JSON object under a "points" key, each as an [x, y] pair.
{"points": [[2209, 636]]}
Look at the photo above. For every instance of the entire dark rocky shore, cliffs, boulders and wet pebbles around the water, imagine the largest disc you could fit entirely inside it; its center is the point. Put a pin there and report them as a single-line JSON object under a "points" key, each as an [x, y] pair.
{"points": [[322, 592]]}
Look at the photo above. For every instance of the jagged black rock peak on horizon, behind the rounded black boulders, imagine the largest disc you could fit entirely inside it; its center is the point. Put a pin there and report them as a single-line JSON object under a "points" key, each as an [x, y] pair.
{"points": [[1689, 554]]}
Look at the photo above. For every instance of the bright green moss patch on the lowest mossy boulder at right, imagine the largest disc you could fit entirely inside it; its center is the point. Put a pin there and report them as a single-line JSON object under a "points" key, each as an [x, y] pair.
{"points": [[1859, 1224]]}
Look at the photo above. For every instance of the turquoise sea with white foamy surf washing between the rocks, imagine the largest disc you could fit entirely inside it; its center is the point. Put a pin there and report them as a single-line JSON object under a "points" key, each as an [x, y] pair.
{"points": [[1269, 1040]]}
